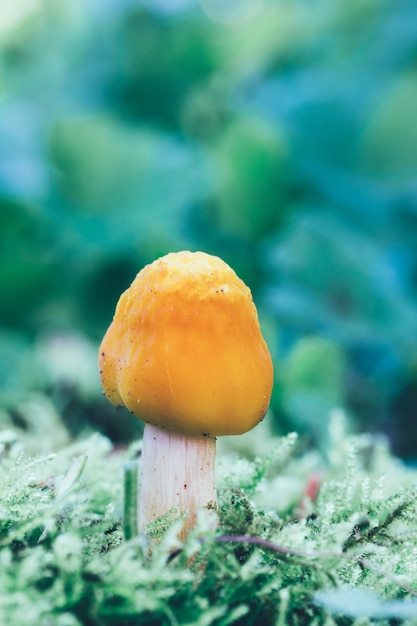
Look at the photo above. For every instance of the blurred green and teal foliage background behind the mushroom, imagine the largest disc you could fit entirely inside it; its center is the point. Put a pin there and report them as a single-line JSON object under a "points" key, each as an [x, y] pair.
{"points": [[280, 135]]}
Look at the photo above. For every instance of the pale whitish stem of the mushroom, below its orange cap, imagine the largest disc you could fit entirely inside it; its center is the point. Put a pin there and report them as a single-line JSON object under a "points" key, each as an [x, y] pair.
{"points": [[177, 474]]}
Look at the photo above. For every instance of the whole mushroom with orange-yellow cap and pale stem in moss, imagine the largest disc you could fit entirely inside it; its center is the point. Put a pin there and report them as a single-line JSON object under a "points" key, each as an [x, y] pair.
{"points": [[185, 354]]}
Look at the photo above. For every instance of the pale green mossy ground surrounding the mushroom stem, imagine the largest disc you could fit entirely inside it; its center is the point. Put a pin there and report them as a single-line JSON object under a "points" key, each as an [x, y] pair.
{"points": [[303, 538]]}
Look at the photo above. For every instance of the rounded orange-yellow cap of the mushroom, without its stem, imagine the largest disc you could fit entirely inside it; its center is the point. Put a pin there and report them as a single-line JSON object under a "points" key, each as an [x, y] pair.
{"points": [[185, 351]]}
